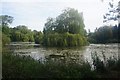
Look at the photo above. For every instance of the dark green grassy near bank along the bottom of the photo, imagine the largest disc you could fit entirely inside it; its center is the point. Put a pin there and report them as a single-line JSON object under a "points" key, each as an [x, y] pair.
{"points": [[26, 67]]}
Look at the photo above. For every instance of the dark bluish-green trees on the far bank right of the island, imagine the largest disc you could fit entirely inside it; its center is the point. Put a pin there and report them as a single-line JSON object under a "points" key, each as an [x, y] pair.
{"points": [[105, 34]]}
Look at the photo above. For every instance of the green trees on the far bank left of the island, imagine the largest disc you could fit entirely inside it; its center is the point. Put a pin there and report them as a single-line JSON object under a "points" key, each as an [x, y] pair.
{"points": [[17, 34]]}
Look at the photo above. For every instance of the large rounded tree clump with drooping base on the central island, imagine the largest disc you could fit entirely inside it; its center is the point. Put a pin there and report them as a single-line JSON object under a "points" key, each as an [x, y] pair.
{"points": [[66, 30]]}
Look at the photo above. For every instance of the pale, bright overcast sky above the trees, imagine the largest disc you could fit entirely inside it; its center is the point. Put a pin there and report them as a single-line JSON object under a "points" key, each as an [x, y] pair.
{"points": [[33, 13]]}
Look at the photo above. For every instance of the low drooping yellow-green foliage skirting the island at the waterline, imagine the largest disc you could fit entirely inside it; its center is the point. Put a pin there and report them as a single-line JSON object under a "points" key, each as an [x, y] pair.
{"points": [[64, 40]]}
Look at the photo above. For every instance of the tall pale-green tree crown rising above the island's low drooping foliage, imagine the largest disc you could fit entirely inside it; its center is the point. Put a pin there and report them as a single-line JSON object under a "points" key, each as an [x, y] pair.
{"points": [[69, 21]]}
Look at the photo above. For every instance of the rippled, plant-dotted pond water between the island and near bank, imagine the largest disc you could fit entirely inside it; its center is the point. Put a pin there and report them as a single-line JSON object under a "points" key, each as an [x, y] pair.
{"points": [[70, 54]]}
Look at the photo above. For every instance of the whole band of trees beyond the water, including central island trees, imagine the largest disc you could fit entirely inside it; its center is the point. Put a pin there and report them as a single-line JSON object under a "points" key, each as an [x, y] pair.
{"points": [[66, 30]]}
